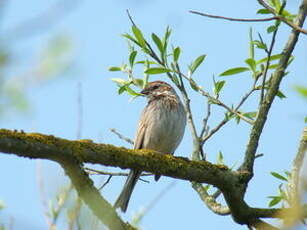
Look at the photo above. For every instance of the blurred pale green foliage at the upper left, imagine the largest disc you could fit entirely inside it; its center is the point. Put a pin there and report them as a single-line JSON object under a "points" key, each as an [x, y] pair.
{"points": [[54, 60]]}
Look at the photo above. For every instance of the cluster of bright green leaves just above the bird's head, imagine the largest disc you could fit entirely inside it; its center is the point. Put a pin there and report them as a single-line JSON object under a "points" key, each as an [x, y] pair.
{"points": [[159, 63]]}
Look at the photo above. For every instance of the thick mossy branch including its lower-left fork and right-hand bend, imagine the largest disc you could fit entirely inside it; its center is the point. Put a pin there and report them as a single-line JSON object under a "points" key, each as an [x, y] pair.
{"points": [[70, 155]]}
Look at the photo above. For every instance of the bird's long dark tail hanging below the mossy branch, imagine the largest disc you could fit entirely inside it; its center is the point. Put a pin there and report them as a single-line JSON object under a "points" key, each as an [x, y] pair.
{"points": [[124, 197]]}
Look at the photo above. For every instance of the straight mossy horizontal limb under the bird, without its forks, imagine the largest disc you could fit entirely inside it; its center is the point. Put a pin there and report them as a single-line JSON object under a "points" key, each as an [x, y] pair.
{"points": [[35, 145]]}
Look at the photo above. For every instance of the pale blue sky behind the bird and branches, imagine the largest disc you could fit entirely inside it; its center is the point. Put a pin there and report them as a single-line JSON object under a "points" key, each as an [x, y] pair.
{"points": [[95, 27]]}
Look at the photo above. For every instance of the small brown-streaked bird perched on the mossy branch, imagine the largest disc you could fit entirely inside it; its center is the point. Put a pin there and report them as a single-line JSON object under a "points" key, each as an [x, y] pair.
{"points": [[161, 128]]}
